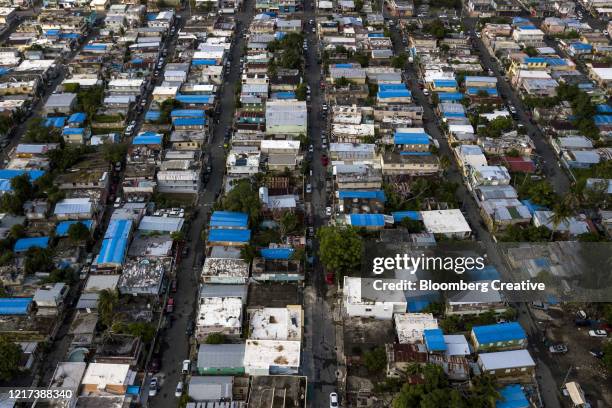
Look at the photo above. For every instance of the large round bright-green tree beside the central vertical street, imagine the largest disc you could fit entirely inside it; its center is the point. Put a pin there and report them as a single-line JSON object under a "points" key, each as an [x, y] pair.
{"points": [[340, 249]]}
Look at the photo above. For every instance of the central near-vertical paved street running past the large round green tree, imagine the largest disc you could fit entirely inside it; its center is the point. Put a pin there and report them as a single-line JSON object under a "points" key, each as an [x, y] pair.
{"points": [[319, 352]]}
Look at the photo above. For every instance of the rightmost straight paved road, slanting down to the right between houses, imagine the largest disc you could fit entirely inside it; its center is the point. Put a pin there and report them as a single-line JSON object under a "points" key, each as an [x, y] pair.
{"points": [[549, 160]]}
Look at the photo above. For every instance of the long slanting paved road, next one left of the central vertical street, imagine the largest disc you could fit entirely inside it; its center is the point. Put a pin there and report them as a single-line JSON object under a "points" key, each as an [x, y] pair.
{"points": [[175, 344]]}
